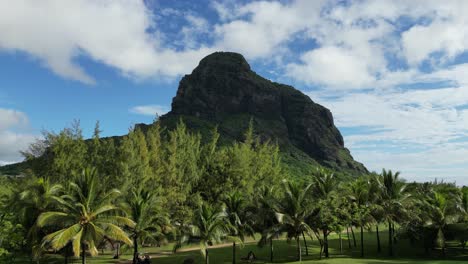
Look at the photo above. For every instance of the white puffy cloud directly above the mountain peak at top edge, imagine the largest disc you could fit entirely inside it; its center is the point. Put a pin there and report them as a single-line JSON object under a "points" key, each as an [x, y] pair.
{"points": [[269, 26]]}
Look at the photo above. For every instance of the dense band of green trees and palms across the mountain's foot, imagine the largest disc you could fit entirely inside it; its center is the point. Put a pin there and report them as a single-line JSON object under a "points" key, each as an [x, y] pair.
{"points": [[161, 186]]}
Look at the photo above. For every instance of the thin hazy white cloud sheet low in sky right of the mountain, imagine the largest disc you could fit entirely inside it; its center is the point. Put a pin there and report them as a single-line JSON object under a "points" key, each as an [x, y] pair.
{"points": [[421, 132]]}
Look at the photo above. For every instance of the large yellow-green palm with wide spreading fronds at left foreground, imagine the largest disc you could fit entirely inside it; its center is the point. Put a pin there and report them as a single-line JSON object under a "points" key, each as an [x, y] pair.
{"points": [[86, 216]]}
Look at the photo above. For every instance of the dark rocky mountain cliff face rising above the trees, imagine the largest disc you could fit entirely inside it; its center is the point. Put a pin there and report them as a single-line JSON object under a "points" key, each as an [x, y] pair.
{"points": [[222, 90]]}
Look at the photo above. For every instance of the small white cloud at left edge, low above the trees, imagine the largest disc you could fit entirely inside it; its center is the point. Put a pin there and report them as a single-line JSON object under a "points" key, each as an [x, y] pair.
{"points": [[12, 137]]}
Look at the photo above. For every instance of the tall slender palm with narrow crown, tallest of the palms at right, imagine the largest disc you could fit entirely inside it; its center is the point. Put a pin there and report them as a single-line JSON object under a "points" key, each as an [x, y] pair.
{"points": [[394, 196]]}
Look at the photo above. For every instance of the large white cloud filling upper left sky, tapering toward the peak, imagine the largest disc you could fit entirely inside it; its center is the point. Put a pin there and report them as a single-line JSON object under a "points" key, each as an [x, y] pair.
{"points": [[111, 32]]}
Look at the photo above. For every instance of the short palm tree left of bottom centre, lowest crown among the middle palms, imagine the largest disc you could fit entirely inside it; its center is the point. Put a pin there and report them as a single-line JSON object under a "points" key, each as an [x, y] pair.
{"points": [[209, 226]]}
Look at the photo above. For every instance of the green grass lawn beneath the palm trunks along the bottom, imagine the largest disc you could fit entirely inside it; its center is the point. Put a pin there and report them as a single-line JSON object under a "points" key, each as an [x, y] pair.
{"points": [[284, 252]]}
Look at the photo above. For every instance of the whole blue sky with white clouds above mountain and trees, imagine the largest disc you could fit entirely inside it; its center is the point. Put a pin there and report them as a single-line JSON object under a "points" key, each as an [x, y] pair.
{"points": [[392, 72]]}
